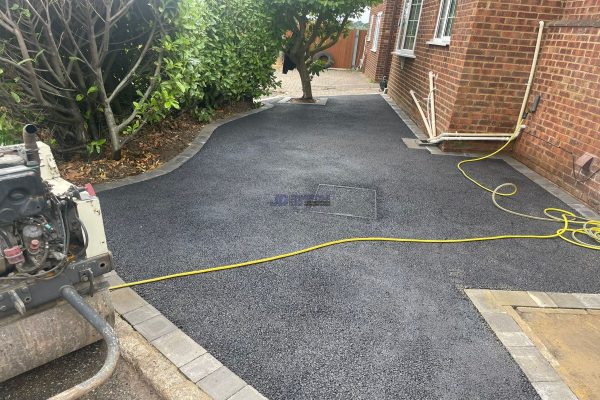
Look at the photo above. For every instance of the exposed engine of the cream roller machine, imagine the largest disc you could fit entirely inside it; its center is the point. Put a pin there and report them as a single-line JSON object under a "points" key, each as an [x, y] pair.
{"points": [[39, 231]]}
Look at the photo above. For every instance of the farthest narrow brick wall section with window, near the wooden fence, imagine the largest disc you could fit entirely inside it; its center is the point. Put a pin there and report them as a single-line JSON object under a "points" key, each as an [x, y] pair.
{"points": [[377, 63]]}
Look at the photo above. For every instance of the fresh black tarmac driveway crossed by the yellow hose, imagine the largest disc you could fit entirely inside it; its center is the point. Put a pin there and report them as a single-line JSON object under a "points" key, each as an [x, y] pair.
{"points": [[360, 321]]}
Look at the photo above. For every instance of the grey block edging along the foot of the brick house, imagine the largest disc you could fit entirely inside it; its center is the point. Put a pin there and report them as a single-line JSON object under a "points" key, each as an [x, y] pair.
{"points": [[544, 183]]}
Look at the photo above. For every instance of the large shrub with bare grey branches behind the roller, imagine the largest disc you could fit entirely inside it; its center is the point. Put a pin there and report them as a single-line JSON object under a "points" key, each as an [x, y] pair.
{"points": [[79, 65]]}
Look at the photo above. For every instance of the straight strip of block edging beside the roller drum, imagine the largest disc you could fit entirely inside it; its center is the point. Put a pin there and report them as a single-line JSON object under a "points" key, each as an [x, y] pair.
{"points": [[192, 360]]}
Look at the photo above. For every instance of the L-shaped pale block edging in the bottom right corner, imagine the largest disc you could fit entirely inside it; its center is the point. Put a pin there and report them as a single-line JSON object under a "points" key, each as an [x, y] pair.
{"points": [[496, 307]]}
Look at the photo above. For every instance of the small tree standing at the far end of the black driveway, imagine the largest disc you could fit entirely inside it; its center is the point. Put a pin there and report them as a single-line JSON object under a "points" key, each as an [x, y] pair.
{"points": [[312, 26]]}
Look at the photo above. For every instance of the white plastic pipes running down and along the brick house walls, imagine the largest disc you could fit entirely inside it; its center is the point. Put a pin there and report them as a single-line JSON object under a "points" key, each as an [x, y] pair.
{"points": [[448, 136]]}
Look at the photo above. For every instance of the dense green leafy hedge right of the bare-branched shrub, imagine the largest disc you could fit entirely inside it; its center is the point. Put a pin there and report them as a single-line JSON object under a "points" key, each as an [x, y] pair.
{"points": [[219, 51]]}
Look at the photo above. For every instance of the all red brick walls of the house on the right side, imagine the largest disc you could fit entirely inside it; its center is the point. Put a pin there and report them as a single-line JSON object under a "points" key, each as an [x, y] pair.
{"points": [[482, 76]]}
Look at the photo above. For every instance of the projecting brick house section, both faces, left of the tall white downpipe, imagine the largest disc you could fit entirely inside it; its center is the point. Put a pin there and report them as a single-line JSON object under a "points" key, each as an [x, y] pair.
{"points": [[482, 73]]}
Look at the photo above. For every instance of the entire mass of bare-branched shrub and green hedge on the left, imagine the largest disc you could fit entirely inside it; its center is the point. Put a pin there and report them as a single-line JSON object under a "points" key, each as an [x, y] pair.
{"points": [[95, 71]]}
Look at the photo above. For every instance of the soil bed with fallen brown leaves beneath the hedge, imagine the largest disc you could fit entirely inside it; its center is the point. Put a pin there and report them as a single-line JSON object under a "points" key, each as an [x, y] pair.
{"points": [[154, 146]]}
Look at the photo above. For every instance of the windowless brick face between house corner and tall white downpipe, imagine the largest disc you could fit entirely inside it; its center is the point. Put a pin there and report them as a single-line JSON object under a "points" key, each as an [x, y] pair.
{"points": [[499, 51]]}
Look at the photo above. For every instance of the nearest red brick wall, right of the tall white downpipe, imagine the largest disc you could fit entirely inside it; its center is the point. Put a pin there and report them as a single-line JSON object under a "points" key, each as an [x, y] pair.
{"points": [[567, 121]]}
